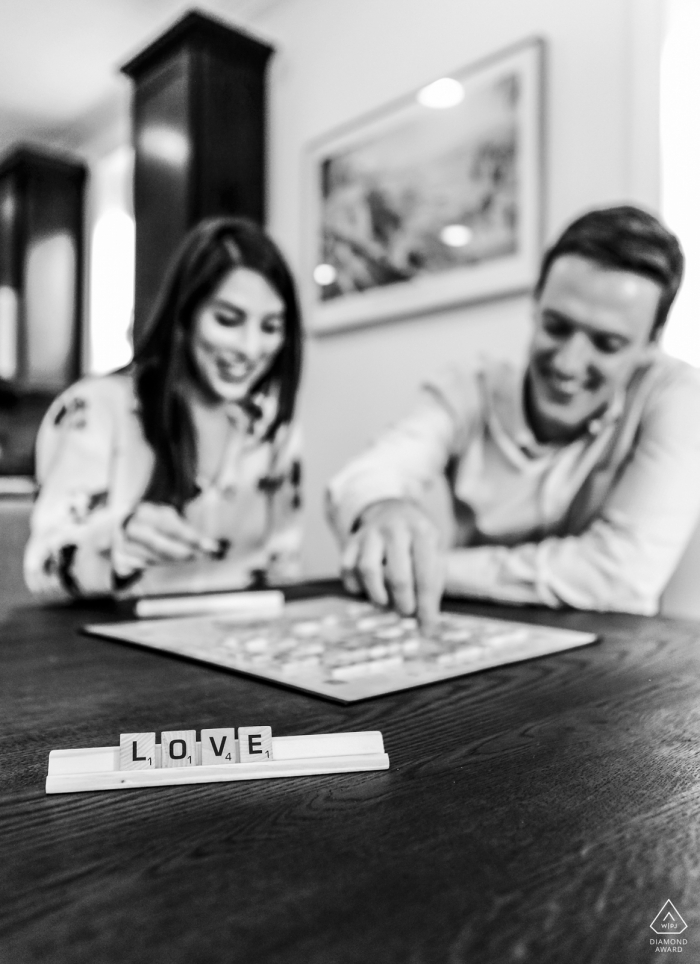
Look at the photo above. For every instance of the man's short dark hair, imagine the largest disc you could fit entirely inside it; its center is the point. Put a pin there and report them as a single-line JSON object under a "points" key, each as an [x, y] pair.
{"points": [[623, 238]]}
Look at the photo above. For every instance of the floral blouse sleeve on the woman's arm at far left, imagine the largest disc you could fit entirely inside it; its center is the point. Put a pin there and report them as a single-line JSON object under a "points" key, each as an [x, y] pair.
{"points": [[72, 524]]}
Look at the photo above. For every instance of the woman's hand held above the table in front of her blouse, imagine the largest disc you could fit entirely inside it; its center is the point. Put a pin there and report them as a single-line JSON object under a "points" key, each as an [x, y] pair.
{"points": [[156, 534]]}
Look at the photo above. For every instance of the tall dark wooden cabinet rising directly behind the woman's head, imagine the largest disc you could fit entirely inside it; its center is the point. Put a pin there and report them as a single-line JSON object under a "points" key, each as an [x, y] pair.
{"points": [[199, 120]]}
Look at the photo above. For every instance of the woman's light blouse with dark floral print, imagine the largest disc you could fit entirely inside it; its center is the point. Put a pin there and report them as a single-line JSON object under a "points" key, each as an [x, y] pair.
{"points": [[93, 466]]}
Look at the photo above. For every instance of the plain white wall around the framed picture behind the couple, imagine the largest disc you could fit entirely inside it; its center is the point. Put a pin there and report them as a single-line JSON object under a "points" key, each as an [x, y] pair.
{"points": [[337, 60]]}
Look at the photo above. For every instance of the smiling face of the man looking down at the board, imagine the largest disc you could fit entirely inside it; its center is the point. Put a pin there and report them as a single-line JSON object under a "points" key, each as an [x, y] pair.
{"points": [[592, 330]]}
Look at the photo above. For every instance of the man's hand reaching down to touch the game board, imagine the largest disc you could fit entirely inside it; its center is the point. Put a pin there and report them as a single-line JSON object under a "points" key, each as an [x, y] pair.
{"points": [[395, 557]]}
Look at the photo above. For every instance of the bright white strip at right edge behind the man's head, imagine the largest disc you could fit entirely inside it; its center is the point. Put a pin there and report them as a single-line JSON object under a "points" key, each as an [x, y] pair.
{"points": [[680, 157]]}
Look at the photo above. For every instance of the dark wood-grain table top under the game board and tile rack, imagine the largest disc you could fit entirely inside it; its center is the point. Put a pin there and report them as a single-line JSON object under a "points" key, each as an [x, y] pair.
{"points": [[533, 813]]}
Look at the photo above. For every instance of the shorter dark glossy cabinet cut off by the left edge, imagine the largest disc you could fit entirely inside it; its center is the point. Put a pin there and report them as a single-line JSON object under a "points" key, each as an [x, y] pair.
{"points": [[41, 293]]}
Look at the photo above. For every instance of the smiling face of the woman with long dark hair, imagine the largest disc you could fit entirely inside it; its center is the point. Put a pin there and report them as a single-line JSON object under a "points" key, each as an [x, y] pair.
{"points": [[236, 334]]}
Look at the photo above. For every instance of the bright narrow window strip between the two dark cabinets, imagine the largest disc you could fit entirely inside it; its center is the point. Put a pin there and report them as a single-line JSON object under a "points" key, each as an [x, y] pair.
{"points": [[112, 252]]}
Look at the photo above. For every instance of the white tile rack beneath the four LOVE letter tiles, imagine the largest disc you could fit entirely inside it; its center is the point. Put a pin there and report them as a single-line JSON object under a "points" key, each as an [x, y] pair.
{"points": [[97, 768]]}
